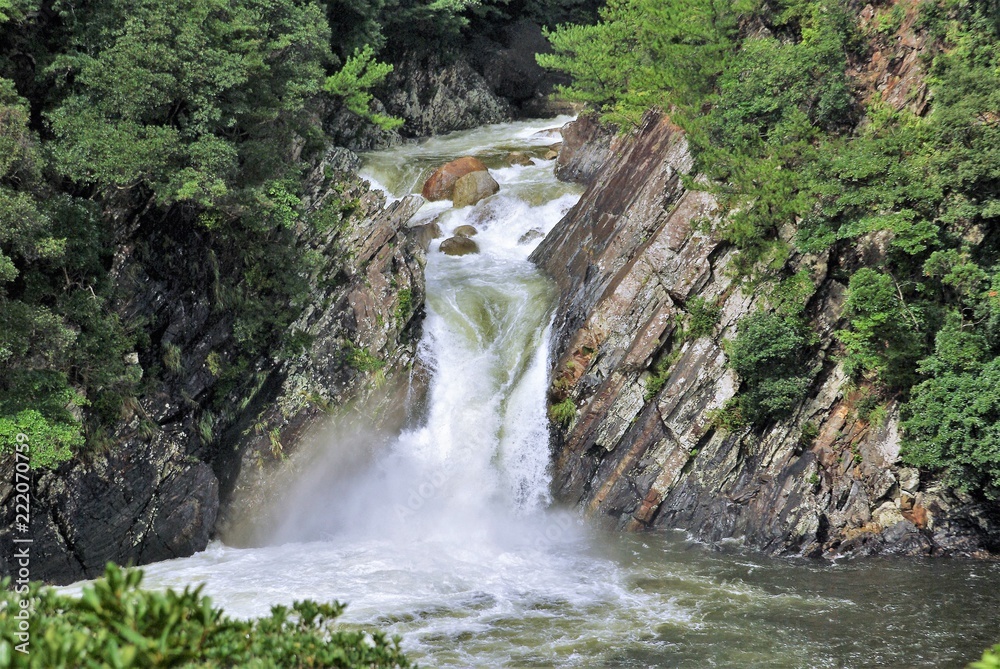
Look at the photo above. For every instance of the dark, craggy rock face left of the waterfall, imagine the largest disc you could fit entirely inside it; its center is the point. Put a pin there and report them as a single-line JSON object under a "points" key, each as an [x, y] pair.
{"points": [[158, 492]]}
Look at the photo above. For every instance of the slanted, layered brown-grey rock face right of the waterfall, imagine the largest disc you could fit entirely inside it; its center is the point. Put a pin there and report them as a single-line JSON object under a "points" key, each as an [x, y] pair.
{"points": [[627, 259]]}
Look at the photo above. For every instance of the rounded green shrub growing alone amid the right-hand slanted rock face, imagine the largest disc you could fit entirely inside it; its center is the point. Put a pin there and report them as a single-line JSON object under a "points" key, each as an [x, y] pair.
{"points": [[769, 355]]}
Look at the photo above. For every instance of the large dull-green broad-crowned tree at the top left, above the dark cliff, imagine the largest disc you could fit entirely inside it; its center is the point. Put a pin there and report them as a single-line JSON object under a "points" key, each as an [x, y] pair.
{"points": [[182, 98]]}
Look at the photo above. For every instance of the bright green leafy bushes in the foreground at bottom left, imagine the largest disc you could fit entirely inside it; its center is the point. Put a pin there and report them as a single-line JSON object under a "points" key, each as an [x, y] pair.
{"points": [[114, 623]]}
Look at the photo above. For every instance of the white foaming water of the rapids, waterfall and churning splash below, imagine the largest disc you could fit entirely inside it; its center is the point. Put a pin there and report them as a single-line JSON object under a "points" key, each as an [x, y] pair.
{"points": [[446, 537]]}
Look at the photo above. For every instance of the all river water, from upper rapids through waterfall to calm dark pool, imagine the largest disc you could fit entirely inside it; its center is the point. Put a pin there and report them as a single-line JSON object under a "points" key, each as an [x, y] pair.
{"points": [[447, 537]]}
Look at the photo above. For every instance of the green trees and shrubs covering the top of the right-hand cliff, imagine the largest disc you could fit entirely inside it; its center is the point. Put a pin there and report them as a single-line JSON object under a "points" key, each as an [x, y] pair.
{"points": [[804, 159]]}
